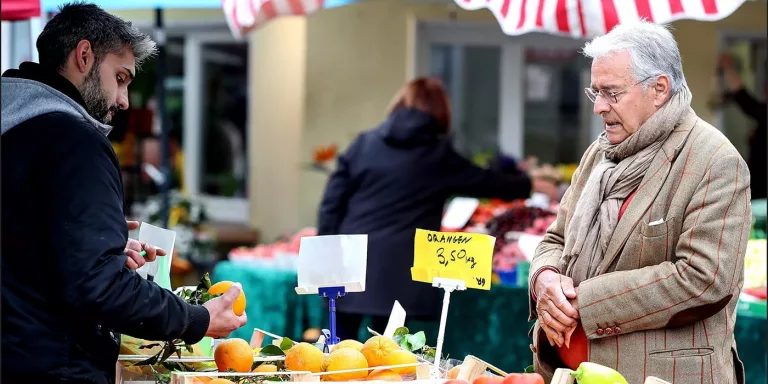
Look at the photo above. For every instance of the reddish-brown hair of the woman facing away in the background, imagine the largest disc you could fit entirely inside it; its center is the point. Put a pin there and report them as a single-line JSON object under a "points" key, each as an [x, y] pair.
{"points": [[427, 95]]}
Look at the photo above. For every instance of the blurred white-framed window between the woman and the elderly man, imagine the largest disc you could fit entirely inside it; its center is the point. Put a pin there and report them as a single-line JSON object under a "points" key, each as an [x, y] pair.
{"points": [[508, 94]]}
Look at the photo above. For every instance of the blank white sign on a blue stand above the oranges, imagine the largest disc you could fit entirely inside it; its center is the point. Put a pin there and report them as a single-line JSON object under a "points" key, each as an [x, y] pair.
{"points": [[332, 261]]}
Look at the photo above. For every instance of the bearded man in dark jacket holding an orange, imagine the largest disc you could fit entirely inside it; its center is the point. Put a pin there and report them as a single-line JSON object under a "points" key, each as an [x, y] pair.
{"points": [[69, 288]]}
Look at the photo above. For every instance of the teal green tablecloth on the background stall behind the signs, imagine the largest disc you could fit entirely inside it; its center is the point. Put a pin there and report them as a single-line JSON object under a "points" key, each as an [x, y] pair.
{"points": [[493, 325]]}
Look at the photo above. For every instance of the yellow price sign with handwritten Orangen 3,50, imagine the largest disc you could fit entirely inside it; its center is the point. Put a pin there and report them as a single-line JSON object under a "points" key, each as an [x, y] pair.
{"points": [[459, 256]]}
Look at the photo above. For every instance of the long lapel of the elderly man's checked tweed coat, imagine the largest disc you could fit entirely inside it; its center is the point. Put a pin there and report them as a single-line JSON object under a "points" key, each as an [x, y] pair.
{"points": [[649, 188]]}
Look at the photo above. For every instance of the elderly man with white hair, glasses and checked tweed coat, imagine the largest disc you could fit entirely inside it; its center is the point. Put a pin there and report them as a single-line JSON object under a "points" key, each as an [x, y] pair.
{"points": [[643, 268]]}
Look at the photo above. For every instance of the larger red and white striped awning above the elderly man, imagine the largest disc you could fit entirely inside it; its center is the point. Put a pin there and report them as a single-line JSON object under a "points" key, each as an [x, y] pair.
{"points": [[589, 18]]}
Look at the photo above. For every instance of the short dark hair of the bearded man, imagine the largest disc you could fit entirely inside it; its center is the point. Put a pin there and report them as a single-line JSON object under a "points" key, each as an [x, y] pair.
{"points": [[82, 21]]}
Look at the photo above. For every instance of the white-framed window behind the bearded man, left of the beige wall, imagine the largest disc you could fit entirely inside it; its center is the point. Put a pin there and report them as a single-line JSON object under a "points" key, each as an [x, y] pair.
{"points": [[206, 101]]}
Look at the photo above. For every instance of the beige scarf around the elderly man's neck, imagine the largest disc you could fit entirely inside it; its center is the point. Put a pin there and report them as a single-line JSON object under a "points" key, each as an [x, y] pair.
{"points": [[620, 172]]}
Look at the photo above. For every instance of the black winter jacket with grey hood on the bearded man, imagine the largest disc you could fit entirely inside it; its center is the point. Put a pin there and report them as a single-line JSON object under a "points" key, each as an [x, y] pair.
{"points": [[66, 292]]}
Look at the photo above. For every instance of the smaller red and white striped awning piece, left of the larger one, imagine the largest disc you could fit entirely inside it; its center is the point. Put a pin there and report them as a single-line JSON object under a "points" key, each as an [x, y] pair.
{"points": [[244, 16]]}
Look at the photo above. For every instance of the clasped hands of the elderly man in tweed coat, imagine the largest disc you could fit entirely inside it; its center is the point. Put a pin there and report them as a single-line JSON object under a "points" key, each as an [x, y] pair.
{"points": [[556, 307]]}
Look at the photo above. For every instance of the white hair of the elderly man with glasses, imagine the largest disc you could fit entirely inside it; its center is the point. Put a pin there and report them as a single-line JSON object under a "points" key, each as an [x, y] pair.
{"points": [[651, 47]]}
